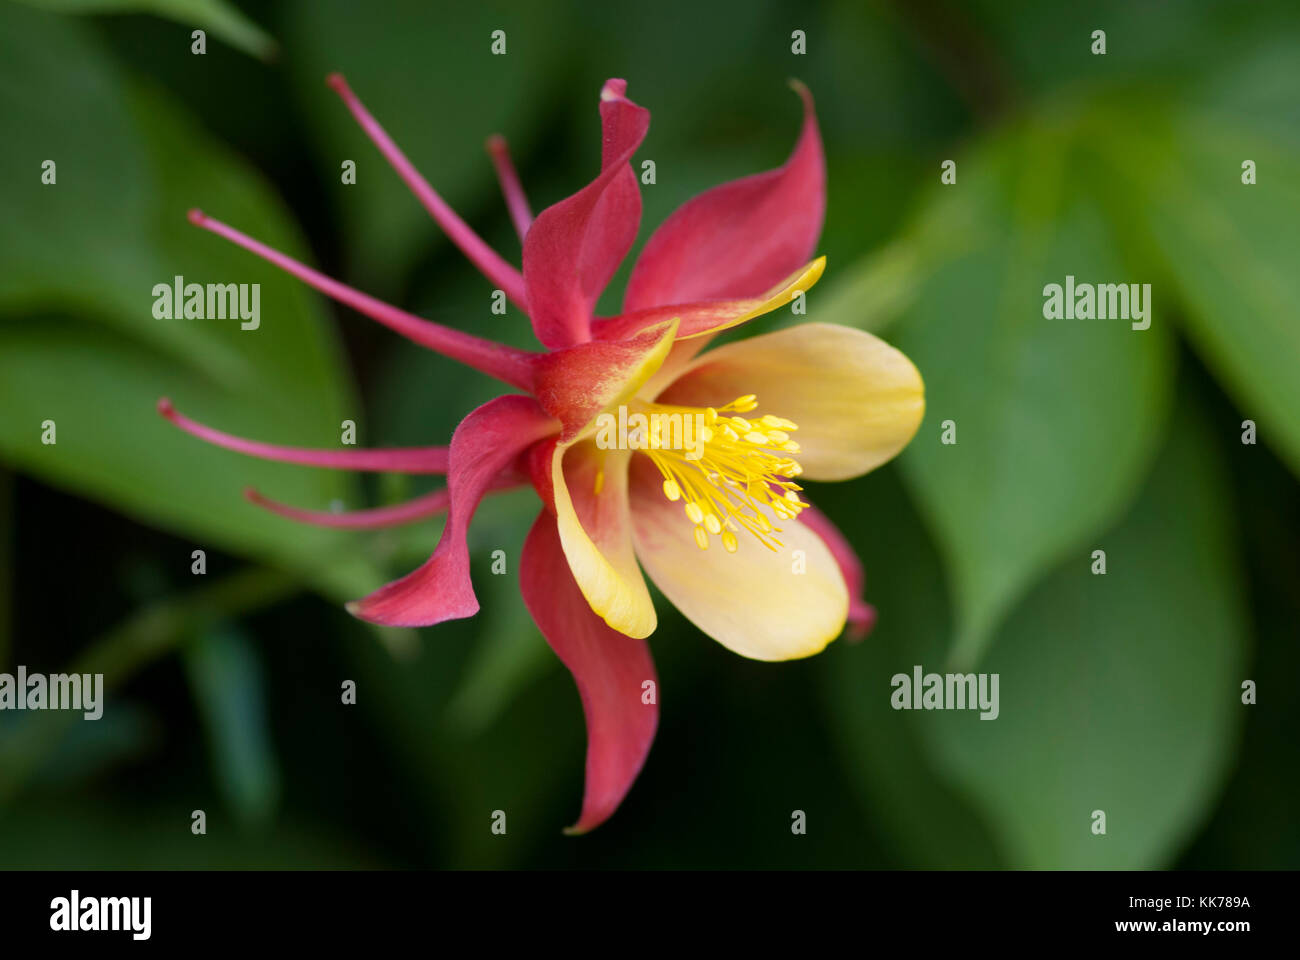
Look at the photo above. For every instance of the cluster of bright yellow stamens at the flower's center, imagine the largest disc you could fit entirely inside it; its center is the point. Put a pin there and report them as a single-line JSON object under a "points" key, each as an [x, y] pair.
{"points": [[738, 468]]}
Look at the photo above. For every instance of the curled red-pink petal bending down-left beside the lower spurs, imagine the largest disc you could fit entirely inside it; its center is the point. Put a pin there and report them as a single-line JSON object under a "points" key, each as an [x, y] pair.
{"points": [[487, 443]]}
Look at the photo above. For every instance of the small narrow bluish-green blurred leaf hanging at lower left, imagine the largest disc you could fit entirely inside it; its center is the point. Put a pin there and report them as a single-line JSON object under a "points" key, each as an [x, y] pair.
{"points": [[229, 687]]}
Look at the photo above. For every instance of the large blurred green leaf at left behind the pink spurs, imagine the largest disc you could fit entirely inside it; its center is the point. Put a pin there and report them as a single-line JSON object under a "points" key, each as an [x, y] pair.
{"points": [[79, 340]]}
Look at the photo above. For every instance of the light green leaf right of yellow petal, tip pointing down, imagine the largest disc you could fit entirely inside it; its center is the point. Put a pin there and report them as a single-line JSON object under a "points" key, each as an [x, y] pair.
{"points": [[1056, 421]]}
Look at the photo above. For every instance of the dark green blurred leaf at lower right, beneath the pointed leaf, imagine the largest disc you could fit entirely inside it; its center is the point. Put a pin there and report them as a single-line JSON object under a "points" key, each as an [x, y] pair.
{"points": [[1119, 693]]}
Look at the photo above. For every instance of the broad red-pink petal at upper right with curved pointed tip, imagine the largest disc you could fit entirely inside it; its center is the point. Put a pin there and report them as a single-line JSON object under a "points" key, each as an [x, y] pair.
{"points": [[740, 239]]}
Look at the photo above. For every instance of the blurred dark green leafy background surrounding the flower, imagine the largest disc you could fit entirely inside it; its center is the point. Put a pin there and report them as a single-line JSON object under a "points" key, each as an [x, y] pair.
{"points": [[1119, 693]]}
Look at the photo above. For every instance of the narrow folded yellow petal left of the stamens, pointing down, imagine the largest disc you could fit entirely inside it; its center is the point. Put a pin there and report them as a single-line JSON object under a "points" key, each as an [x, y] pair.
{"points": [[596, 533]]}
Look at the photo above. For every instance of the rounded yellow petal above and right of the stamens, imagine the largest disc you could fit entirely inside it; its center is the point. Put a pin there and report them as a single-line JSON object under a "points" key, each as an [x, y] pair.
{"points": [[857, 401]]}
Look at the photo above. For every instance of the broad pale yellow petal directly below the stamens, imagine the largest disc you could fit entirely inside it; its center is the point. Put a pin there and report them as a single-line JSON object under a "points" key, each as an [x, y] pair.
{"points": [[759, 603]]}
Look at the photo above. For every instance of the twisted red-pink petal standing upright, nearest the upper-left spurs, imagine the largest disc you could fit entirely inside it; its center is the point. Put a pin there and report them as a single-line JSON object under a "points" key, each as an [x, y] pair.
{"points": [[575, 247]]}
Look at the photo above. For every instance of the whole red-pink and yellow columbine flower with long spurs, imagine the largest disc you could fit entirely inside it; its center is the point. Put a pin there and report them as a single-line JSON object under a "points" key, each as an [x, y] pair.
{"points": [[726, 537]]}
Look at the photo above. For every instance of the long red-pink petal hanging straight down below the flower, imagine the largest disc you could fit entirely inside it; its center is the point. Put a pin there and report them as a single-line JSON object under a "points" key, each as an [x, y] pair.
{"points": [[614, 674]]}
